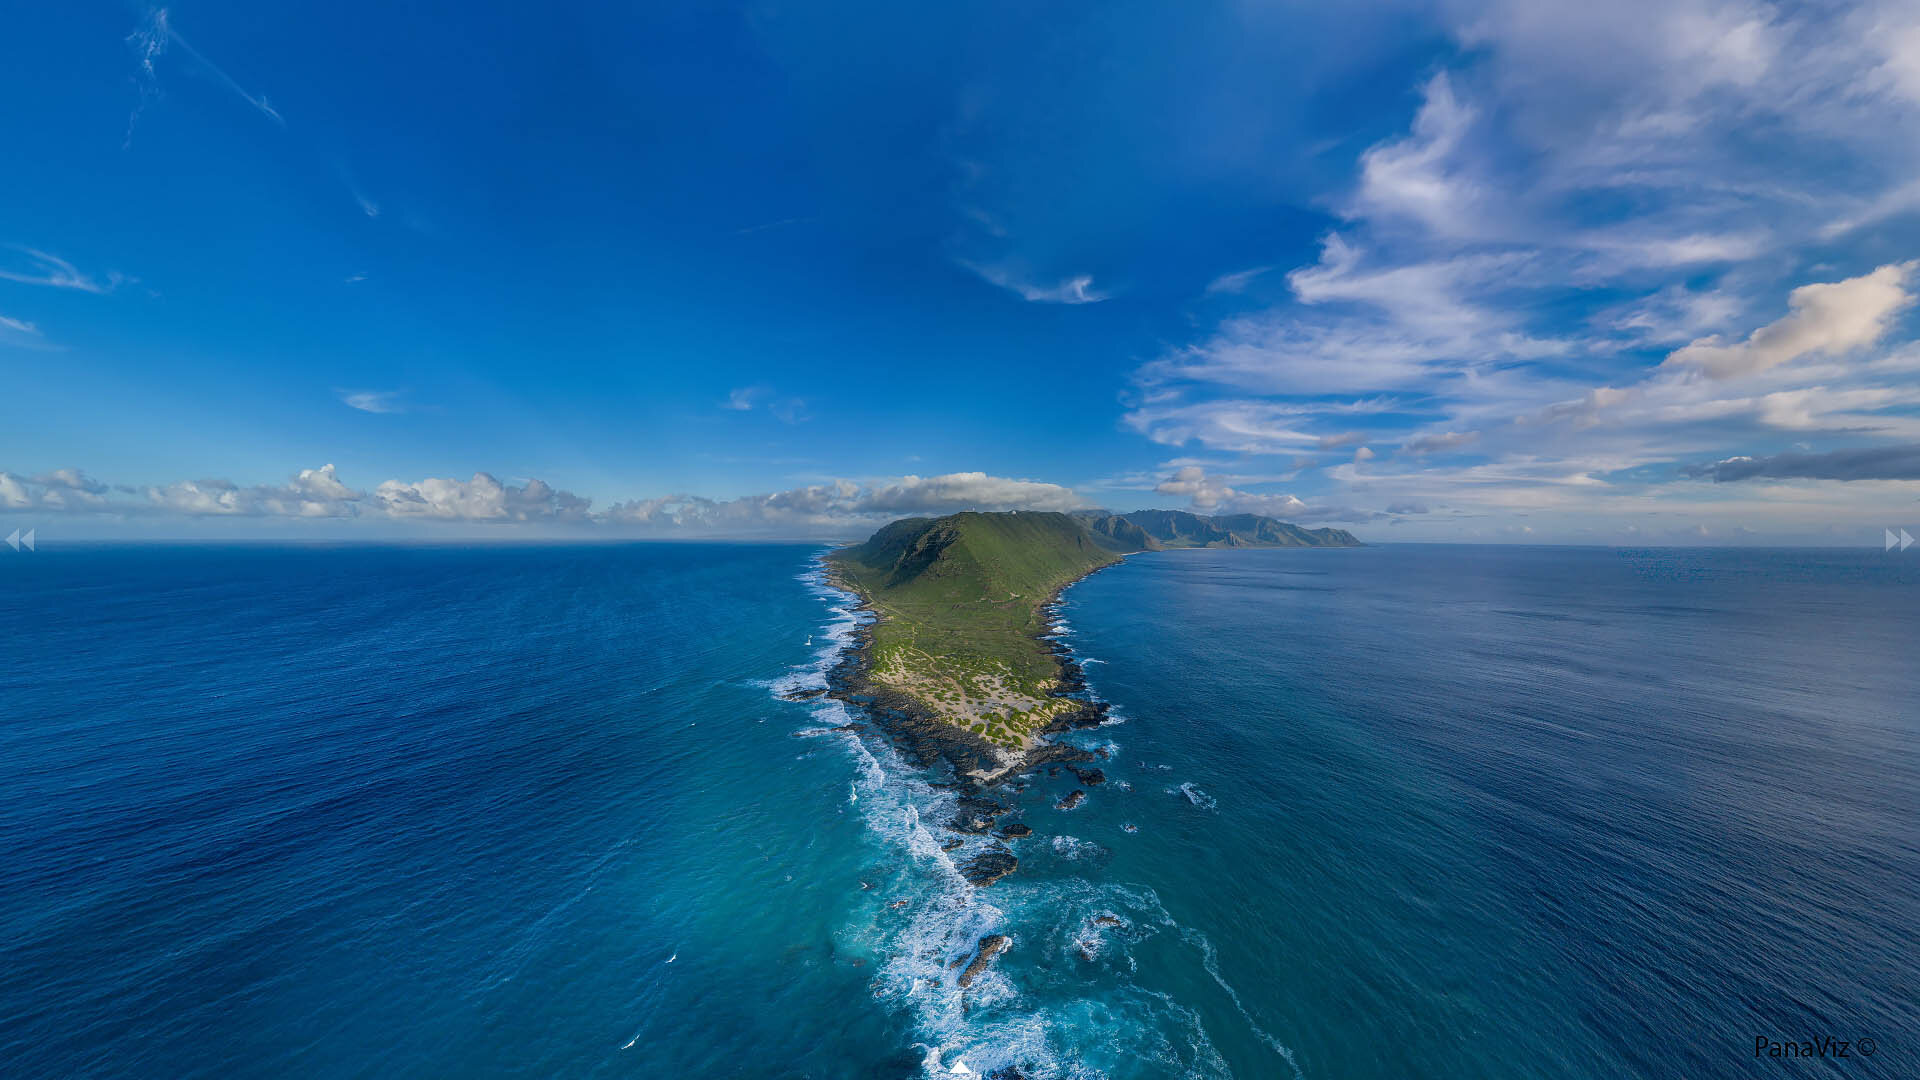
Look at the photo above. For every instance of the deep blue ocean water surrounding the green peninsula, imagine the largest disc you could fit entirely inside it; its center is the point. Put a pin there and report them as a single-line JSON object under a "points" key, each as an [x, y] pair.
{"points": [[1372, 814]]}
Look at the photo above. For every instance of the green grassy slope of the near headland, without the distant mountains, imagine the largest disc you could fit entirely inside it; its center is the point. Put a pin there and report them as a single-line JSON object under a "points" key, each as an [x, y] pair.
{"points": [[959, 601]]}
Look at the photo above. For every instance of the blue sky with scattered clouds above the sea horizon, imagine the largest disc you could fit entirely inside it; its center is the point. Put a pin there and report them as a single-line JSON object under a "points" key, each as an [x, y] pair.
{"points": [[1508, 272]]}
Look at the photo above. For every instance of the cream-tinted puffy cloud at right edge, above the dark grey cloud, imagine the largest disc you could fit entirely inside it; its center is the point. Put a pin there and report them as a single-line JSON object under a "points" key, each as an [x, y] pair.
{"points": [[1829, 320]]}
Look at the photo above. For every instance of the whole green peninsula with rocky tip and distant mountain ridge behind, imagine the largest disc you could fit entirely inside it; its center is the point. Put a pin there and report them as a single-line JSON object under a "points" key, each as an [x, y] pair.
{"points": [[961, 610]]}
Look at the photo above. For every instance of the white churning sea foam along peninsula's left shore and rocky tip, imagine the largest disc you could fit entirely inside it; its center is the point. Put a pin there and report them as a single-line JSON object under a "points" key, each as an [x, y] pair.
{"points": [[994, 1023]]}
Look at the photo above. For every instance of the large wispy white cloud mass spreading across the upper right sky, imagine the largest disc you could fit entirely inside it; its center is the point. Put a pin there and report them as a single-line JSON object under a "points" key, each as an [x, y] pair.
{"points": [[1581, 191]]}
